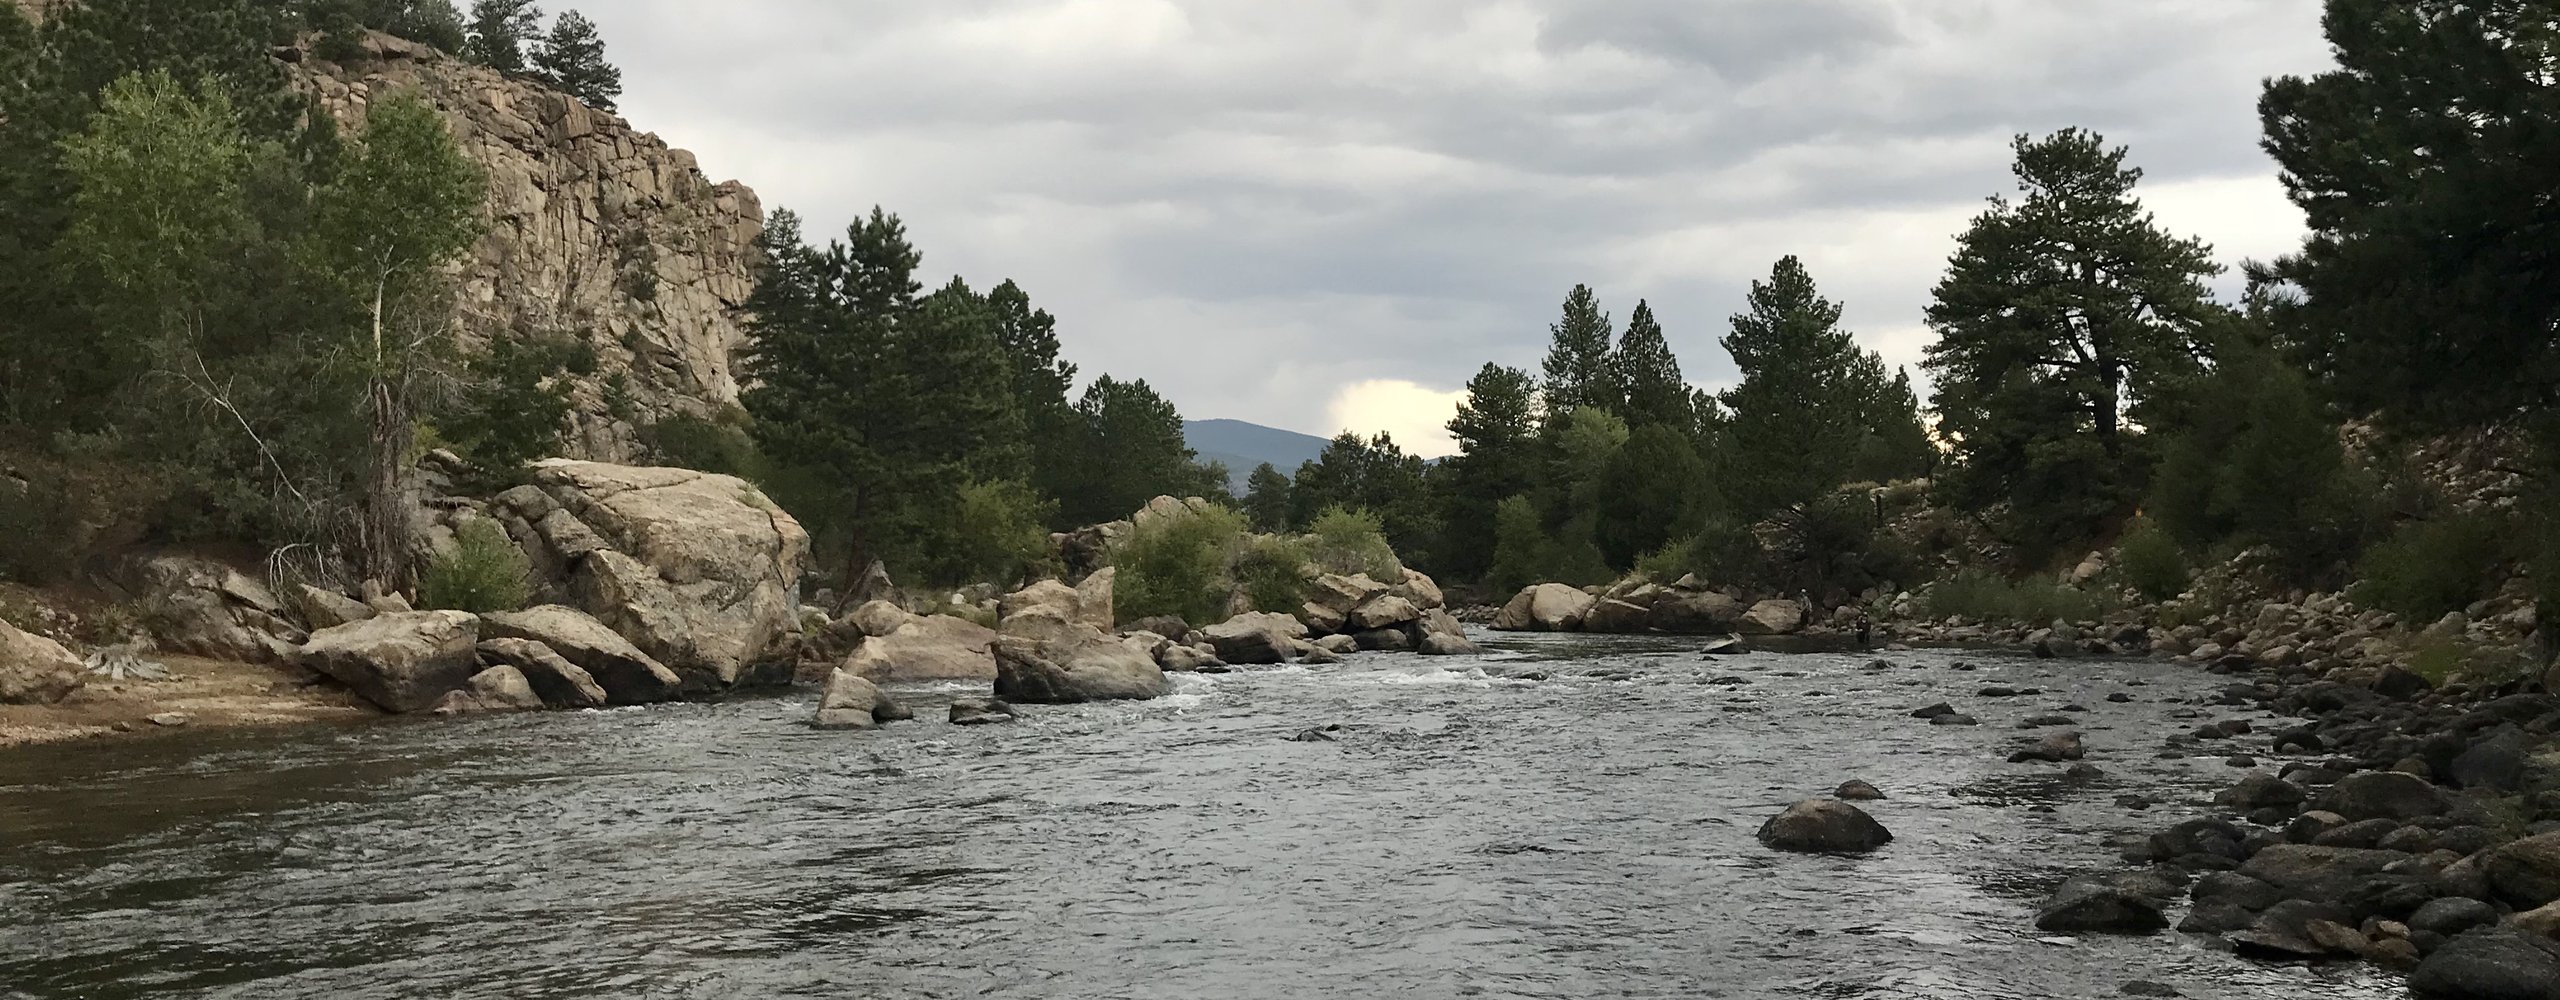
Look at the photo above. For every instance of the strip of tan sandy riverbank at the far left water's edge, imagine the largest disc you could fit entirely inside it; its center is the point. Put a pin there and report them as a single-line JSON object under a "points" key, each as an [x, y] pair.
{"points": [[201, 694]]}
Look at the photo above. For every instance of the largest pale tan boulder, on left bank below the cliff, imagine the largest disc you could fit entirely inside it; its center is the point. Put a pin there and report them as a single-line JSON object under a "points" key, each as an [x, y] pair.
{"points": [[695, 569]]}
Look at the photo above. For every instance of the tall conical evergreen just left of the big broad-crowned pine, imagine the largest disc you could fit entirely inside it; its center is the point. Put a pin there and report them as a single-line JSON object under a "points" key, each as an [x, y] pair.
{"points": [[1796, 418]]}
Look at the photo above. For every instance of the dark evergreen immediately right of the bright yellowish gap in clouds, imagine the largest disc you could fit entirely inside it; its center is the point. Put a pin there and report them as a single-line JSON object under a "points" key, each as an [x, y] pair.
{"points": [[1496, 434]]}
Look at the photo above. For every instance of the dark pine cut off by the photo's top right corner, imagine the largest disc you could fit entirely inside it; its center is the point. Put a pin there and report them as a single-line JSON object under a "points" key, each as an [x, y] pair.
{"points": [[2426, 165]]}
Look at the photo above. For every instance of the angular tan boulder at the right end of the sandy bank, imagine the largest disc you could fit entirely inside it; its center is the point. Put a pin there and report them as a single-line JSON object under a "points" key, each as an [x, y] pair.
{"points": [[401, 661]]}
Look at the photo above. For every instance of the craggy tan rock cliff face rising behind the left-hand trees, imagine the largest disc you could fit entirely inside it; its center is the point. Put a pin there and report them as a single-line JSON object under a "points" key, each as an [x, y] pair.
{"points": [[598, 231]]}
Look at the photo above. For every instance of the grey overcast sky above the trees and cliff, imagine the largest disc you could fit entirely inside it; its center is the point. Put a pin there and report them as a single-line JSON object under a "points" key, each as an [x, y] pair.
{"points": [[1325, 216]]}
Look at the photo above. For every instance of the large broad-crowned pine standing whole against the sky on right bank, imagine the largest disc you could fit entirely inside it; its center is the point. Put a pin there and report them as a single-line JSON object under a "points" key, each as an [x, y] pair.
{"points": [[2062, 318]]}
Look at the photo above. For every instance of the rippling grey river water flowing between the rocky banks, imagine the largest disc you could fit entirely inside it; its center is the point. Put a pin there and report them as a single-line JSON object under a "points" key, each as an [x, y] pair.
{"points": [[1466, 835]]}
